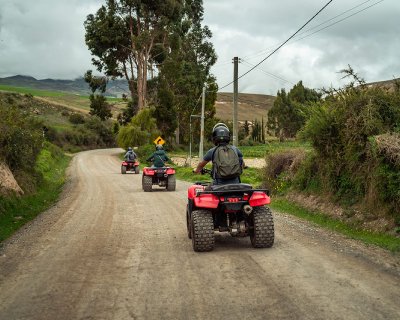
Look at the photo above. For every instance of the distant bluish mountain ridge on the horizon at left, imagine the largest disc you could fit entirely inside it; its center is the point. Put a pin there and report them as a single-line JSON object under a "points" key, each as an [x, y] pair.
{"points": [[115, 88]]}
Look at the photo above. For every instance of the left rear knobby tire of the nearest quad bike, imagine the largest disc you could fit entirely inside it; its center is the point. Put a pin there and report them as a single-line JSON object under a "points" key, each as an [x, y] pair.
{"points": [[202, 230]]}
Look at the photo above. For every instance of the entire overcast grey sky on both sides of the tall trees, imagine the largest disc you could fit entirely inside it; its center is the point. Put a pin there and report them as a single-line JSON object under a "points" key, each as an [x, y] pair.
{"points": [[45, 39]]}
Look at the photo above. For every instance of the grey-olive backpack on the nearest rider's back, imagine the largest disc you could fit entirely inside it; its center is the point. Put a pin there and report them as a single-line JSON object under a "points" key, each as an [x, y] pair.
{"points": [[226, 164]]}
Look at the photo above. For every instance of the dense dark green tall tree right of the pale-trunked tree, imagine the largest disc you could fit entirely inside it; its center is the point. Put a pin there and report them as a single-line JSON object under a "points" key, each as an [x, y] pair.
{"points": [[184, 72]]}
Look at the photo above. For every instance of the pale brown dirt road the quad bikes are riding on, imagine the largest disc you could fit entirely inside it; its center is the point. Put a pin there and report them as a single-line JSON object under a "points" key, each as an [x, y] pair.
{"points": [[108, 250]]}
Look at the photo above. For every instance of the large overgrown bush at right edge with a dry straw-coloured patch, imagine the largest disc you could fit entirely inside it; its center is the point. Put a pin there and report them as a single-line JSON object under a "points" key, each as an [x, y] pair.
{"points": [[353, 131]]}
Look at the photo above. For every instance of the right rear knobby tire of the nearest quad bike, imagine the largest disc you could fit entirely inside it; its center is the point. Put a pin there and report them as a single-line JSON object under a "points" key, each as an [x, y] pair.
{"points": [[262, 235]]}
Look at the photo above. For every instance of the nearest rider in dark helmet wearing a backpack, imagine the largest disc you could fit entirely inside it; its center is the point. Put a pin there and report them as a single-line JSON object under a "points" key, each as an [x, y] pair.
{"points": [[227, 160]]}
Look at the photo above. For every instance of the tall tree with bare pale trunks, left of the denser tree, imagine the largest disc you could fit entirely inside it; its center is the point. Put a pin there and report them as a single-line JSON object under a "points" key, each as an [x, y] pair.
{"points": [[123, 37]]}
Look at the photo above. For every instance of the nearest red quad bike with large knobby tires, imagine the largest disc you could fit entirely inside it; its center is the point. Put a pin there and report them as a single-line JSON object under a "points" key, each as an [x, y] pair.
{"points": [[235, 208]]}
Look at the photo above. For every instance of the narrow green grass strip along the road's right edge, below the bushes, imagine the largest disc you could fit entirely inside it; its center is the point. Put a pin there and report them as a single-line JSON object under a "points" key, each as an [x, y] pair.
{"points": [[385, 241]]}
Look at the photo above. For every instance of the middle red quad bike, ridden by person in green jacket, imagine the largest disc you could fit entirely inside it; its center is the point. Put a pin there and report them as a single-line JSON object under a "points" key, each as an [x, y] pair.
{"points": [[163, 177]]}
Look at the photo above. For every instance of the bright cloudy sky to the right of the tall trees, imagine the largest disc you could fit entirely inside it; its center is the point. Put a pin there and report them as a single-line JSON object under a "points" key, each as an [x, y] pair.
{"points": [[366, 41]]}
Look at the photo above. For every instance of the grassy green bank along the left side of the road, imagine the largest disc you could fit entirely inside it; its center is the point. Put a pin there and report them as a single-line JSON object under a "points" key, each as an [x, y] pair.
{"points": [[16, 211]]}
